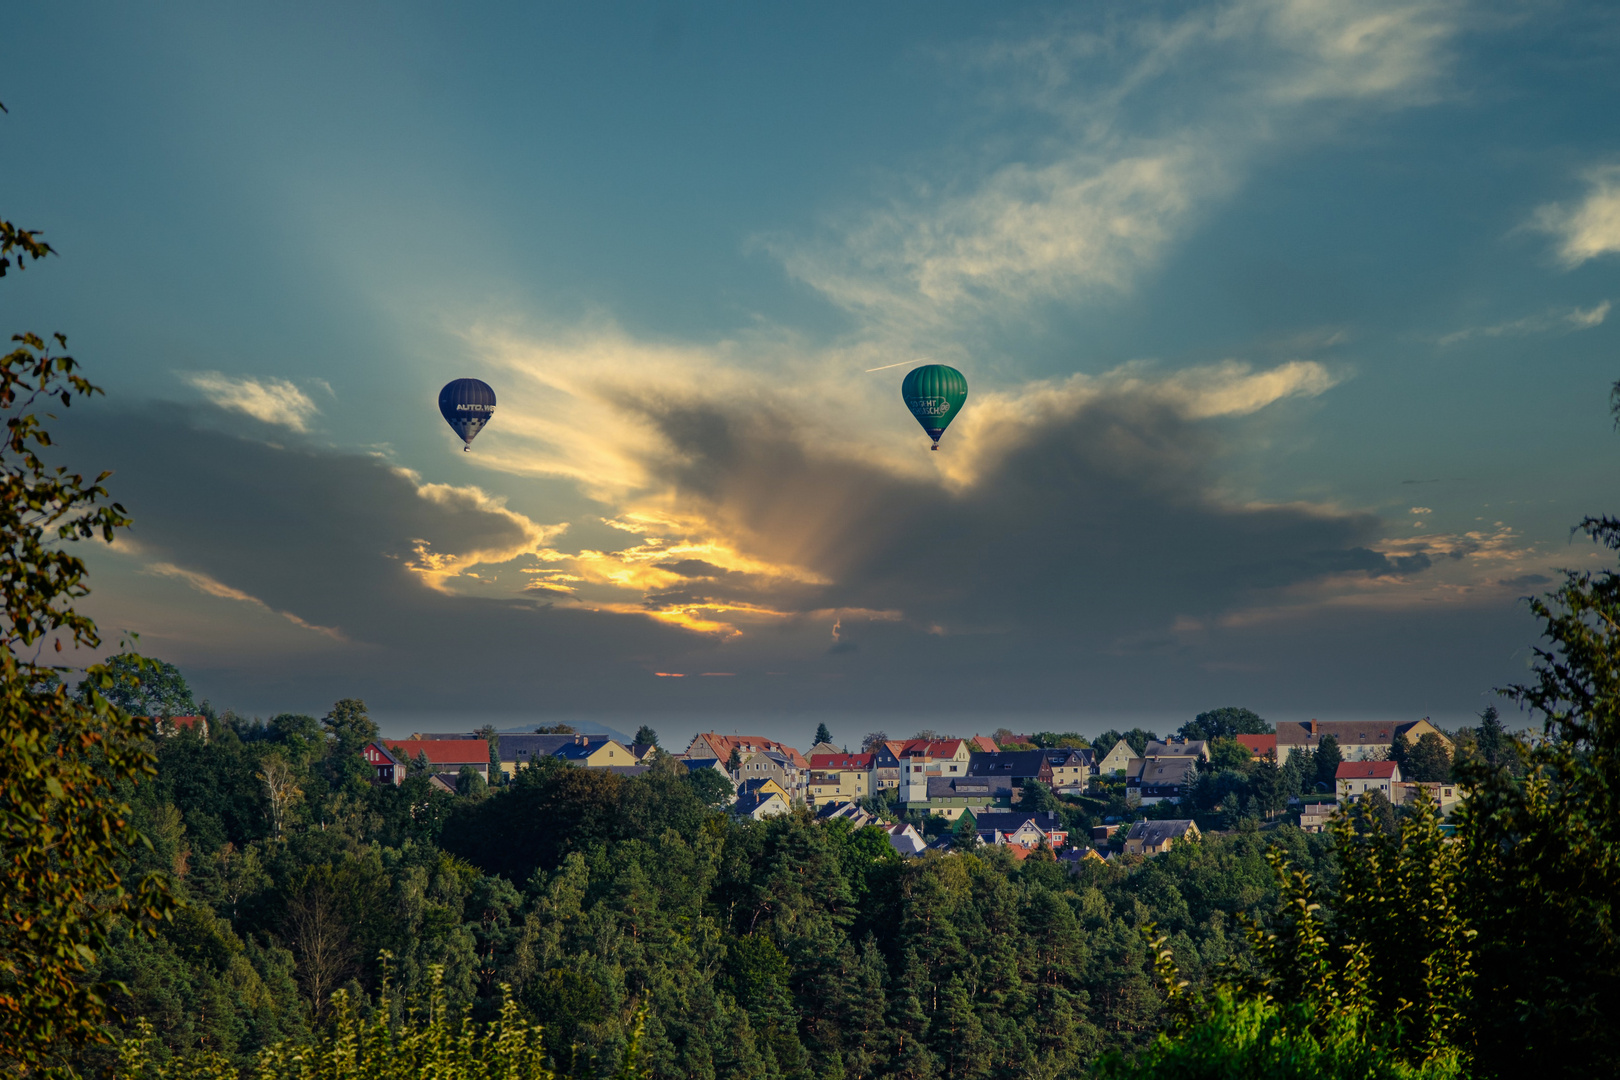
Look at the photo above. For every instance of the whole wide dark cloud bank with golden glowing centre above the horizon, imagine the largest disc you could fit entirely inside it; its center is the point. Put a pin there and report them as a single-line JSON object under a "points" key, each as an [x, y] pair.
{"points": [[808, 572]]}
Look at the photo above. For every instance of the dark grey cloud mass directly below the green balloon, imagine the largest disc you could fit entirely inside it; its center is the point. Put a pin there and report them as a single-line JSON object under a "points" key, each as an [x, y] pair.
{"points": [[1098, 524]]}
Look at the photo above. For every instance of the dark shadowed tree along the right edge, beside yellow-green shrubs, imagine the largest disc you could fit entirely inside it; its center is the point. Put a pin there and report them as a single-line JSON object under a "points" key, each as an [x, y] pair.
{"points": [[1543, 853]]}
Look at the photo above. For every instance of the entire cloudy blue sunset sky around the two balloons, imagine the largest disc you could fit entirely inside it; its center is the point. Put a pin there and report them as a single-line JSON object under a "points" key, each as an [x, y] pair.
{"points": [[1289, 328]]}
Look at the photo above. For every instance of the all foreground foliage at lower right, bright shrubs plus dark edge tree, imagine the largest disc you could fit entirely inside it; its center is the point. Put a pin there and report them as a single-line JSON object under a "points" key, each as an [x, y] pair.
{"points": [[1496, 953]]}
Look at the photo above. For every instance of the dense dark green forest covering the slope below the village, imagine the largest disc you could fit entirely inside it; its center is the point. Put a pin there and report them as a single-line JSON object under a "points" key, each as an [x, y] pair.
{"points": [[785, 948]]}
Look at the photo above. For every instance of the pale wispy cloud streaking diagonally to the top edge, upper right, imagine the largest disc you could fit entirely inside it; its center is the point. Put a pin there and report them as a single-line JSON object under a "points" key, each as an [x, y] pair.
{"points": [[1138, 151]]}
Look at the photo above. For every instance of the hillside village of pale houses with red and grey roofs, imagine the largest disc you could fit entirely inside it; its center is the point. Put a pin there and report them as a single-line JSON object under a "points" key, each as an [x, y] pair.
{"points": [[945, 794]]}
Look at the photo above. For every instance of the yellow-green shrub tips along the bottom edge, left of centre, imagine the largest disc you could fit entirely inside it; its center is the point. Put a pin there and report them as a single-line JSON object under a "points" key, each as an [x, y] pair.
{"points": [[430, 1040]]}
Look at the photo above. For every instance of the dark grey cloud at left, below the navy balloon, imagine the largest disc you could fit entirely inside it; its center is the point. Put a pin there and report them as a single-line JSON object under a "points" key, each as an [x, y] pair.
{"points": [[330, 538]]}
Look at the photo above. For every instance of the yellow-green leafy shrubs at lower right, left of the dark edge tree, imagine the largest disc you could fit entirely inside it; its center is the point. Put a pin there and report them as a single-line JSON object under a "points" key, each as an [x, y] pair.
{"points": [[1381, 992]]}
